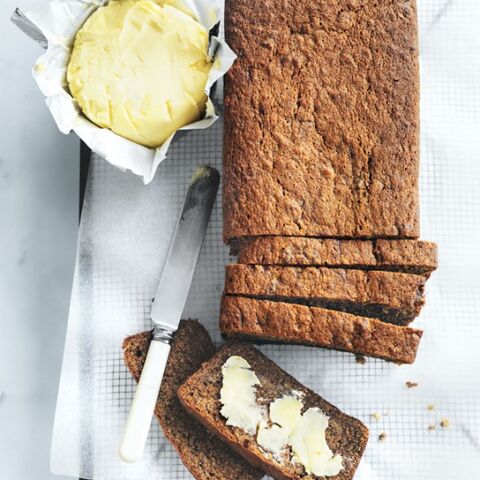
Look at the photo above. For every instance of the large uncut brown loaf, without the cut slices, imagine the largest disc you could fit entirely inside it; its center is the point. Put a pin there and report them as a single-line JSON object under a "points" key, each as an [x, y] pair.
{"points": [[321, 119]]}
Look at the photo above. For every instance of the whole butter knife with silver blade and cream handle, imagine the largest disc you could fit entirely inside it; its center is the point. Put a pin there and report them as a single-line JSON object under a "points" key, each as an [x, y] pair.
{"points": [[168, 305]]}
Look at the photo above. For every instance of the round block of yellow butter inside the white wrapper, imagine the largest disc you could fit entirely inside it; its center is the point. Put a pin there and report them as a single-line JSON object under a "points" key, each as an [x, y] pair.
{"points": [[139, 68]]}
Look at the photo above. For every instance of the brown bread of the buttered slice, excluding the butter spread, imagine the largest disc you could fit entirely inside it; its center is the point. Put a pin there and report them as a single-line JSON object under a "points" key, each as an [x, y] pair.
{"points": [[200, 395]]}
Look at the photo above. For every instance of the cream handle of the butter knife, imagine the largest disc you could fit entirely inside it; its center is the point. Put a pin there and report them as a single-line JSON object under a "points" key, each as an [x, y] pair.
{"points": [[143, 405]]}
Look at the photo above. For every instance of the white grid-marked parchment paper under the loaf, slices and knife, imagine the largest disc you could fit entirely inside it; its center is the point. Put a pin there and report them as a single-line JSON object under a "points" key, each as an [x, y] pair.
{"points": [[123, 238]]}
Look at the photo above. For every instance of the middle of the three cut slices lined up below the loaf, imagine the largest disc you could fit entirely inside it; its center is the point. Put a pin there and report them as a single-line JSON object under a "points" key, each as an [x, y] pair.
{"points": [[390, 296]]}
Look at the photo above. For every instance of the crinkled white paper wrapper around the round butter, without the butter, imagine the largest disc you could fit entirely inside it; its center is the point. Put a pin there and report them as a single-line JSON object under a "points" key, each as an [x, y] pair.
{"points": [[59, 21]]}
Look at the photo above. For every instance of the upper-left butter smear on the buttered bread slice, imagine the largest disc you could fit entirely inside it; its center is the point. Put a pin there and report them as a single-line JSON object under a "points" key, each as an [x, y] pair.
{"points": [[237, 395]]}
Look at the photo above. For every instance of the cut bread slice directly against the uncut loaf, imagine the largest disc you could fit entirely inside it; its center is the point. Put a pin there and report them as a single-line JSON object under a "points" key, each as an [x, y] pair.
{"points": [[409, 256]]}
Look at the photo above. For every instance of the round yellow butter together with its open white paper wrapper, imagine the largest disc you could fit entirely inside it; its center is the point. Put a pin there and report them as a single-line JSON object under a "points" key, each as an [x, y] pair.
{"points": [[128, 75]]}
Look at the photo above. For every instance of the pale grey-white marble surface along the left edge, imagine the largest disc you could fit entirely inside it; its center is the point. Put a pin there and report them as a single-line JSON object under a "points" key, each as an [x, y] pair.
{"points": [[38, 227]]}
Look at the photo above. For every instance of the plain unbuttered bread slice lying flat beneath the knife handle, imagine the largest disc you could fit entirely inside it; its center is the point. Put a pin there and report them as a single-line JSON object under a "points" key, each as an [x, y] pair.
{"points": [[203, 454]]}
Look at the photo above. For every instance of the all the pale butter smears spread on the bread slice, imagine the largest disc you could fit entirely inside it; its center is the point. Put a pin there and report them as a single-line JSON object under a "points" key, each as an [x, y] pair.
{"points": [[283, 430]]}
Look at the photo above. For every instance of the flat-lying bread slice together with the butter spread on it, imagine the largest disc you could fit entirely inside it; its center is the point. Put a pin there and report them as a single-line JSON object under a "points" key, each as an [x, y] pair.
{"points": [[269, 431]]}
